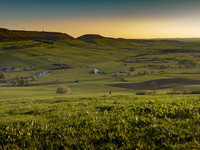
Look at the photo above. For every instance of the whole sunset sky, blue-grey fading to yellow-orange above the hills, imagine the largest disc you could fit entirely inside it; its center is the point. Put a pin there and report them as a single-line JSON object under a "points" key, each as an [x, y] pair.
{"points": [[134, 19]]}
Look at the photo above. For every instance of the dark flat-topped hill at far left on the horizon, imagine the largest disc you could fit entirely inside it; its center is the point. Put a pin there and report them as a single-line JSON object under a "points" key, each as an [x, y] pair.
{"points": [[13, 35]]}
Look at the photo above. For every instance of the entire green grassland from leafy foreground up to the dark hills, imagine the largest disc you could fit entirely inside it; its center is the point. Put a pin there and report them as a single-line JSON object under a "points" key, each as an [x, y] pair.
{"points": [[96, 115]]}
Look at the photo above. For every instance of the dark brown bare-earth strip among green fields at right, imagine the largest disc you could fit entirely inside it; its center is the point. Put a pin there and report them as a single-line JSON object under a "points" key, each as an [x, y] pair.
{"points": [[160, 83]]}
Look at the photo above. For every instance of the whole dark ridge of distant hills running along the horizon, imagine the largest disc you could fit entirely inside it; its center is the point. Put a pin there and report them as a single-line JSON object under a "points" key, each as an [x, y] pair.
{"points": [[18, 35]]}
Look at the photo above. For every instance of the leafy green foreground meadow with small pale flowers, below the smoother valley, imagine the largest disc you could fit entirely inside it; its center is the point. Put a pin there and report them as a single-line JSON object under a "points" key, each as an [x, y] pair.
{"points": [[104, 122]]}
